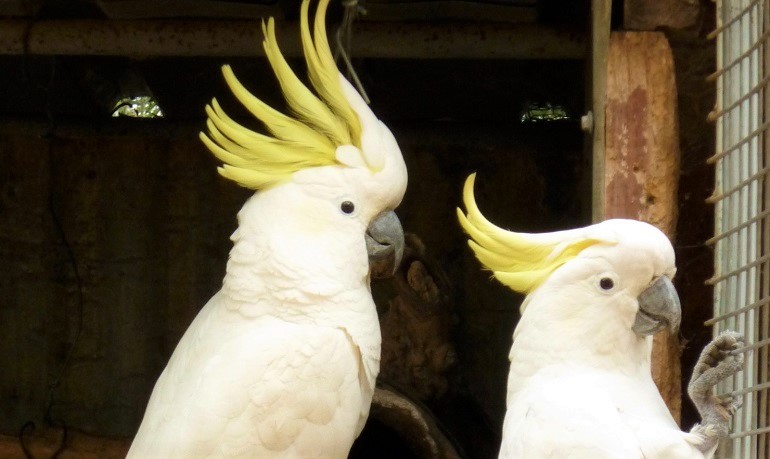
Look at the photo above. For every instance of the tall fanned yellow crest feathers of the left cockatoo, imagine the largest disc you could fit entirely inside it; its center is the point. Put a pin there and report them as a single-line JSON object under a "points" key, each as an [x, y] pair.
{"points": [[310, 138]]}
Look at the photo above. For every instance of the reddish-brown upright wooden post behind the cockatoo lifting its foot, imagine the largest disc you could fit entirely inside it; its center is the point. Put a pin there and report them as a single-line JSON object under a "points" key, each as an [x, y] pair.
{"points": [[642, 160]]}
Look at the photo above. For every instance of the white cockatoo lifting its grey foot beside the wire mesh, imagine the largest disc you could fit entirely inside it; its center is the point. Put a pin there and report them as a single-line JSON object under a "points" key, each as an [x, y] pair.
{"points": [[580, 383]]}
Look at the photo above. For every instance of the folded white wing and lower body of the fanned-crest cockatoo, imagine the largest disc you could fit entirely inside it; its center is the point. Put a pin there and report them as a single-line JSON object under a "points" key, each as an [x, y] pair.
{"points": [[298, 396]]}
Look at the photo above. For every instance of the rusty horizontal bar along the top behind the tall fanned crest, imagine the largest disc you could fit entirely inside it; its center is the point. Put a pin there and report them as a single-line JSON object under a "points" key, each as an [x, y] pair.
{"points": [[155, 38]]}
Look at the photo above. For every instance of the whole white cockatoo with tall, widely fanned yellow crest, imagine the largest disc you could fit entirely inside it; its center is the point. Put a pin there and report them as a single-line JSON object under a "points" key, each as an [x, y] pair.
{"points": [[282, 361]]}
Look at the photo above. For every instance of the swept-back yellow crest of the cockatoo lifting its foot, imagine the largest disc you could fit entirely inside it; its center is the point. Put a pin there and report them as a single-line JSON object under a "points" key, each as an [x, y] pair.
{"points": [[522, 261]]}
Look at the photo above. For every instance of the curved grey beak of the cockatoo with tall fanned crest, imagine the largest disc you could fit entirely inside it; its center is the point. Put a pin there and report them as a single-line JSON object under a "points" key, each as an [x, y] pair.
{"points": [[385, 245]]}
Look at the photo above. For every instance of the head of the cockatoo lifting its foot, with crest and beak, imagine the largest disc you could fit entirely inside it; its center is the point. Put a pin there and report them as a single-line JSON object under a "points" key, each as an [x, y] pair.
{"points": [[617, 268]]}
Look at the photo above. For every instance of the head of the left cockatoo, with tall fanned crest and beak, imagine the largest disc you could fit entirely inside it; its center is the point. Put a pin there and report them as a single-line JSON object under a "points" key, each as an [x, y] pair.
{"points": [[332, 159]]}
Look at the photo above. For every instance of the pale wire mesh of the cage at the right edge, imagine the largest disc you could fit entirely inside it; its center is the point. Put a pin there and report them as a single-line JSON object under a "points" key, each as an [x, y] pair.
{"points": [[742, 214]]}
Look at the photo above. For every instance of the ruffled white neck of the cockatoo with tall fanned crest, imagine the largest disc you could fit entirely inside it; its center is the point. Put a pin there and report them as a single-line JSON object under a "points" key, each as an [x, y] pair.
{"points": [[277, 254]]}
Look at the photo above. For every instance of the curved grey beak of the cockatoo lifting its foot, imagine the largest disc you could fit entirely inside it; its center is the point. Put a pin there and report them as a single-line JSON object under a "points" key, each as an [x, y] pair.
{"points": [[659, 308]]}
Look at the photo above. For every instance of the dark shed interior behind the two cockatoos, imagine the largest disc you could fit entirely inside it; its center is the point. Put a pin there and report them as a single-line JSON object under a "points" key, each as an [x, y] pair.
{"points": [[114, 230]]}
